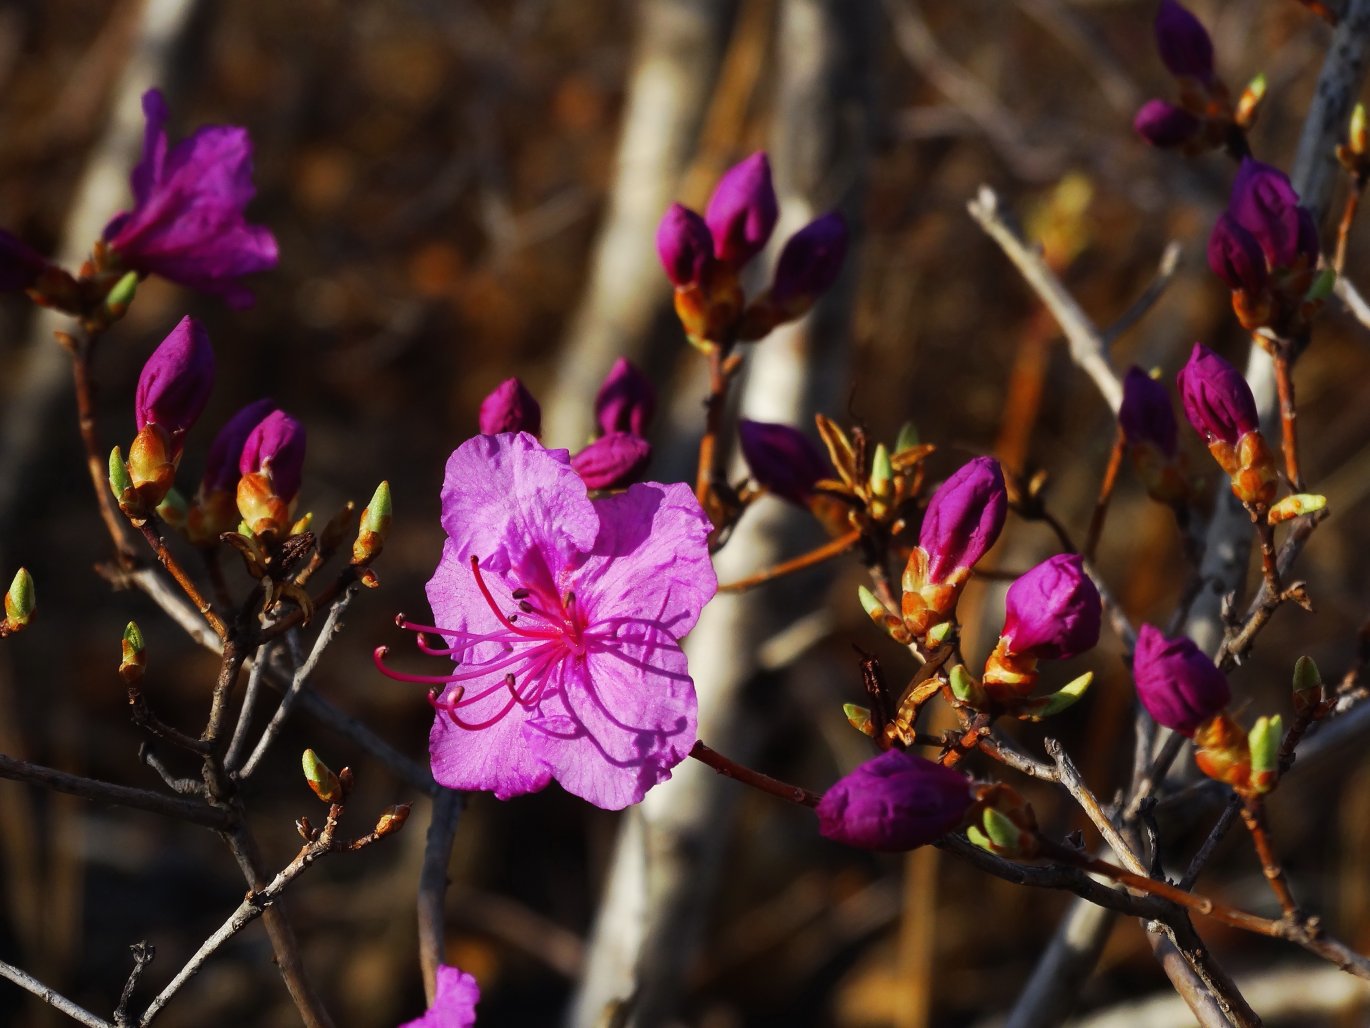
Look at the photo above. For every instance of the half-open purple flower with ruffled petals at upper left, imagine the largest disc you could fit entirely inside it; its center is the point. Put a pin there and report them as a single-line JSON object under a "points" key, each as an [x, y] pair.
{"points": [[188, 210]]}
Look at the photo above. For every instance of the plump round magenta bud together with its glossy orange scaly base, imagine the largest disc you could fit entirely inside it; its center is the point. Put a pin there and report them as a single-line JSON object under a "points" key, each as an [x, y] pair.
{"points": [[1050, 613]]}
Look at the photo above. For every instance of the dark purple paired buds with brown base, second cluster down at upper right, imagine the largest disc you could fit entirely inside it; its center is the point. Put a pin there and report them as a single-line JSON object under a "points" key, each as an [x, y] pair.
{"points": [[1267, 249]]}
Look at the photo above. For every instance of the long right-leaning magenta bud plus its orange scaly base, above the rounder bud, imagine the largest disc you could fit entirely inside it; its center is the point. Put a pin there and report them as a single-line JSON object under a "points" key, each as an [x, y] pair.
{"points": [[964, 519]]}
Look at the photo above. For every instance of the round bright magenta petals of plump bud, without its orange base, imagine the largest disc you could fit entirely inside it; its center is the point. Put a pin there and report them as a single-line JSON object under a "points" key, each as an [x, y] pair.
{"points": [[1054, 611]]}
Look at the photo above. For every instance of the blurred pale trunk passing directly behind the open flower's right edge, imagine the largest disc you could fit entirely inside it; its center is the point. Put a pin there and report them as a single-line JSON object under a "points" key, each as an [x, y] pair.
{"points": [[669, 849]]}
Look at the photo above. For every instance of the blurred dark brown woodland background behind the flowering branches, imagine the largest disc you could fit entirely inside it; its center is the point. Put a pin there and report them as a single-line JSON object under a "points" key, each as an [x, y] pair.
{"points": [[468, 190]]}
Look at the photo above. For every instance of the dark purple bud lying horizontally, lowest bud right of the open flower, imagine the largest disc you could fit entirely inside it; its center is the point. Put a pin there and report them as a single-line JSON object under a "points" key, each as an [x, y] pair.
{"points": [[894, 803]]}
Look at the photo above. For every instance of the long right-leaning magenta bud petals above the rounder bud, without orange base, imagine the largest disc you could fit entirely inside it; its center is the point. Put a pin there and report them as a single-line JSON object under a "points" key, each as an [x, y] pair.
{"points": [[964, 519]]}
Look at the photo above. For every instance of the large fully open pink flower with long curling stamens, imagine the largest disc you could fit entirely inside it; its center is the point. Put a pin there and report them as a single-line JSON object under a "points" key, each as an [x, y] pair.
{"points": [[564, 616]]}
